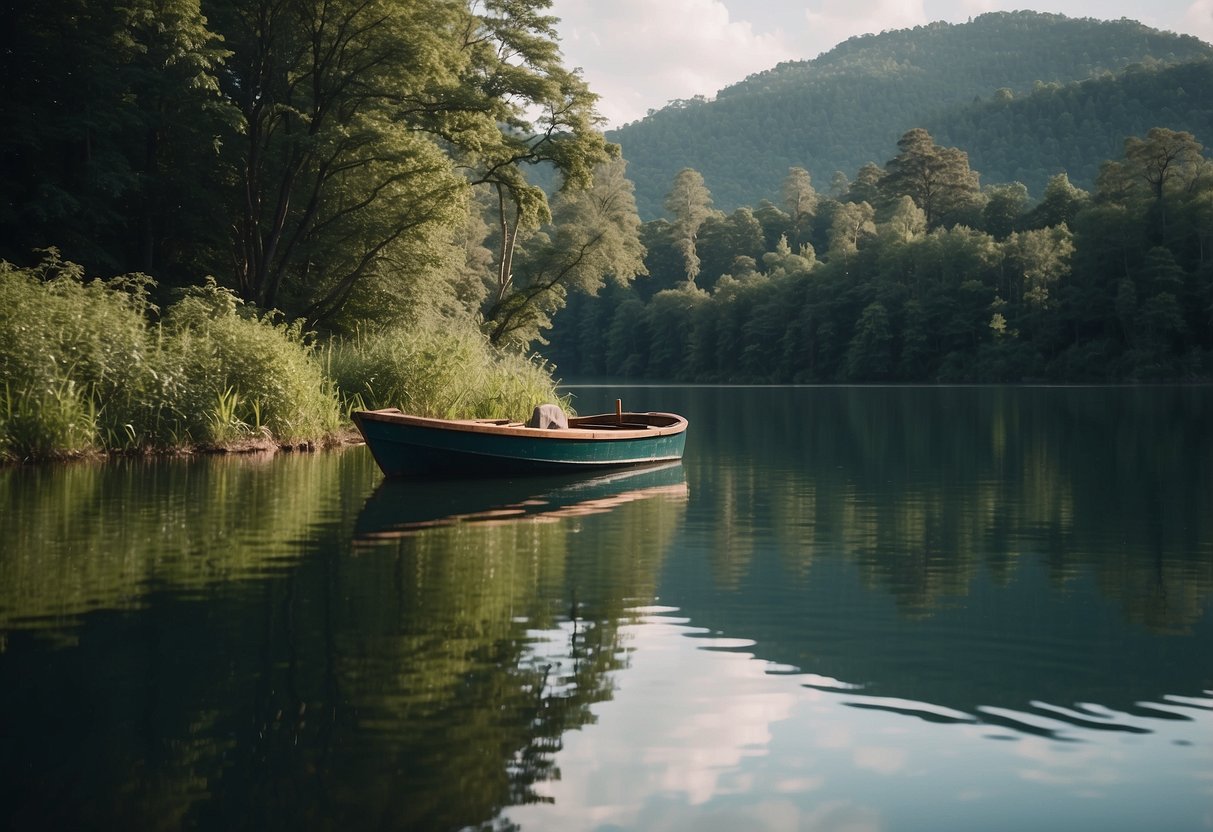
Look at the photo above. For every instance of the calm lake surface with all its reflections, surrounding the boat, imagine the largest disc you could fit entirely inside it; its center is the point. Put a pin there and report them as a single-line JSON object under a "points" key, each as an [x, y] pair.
{"points": [[847, 609]]}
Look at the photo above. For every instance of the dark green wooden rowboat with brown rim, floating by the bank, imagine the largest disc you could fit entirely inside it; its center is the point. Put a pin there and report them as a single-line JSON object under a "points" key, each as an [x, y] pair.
{"points": [[414, 446]]}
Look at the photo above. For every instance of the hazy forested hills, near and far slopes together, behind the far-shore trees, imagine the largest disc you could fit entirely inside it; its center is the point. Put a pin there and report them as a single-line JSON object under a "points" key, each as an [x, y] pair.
{"points": [[850, 106]]}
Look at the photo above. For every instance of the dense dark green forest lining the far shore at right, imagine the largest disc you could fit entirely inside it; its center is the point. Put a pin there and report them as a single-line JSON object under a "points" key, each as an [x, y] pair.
{"points": [[916, 273]]}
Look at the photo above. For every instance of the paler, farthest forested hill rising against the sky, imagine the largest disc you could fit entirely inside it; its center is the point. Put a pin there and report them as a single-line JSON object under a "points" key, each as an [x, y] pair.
{"points": [[848, 106]]}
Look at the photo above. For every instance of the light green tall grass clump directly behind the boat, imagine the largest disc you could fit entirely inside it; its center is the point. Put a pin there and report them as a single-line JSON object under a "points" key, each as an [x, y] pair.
{"points": [[451, 373]]}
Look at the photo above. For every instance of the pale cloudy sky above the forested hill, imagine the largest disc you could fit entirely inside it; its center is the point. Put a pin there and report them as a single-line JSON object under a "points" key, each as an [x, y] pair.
{"points": [[639, 55]]}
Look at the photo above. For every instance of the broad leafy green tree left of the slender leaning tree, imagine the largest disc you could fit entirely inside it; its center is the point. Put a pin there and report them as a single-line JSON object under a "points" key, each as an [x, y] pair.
{"points": [[331, 180]]}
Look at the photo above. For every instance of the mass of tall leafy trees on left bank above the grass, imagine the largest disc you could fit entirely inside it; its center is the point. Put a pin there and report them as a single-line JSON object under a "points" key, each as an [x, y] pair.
{"points": [[314, 156]]}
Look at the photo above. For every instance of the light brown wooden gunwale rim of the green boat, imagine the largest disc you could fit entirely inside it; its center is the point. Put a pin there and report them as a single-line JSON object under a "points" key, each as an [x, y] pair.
{"points": [[601, 428]]}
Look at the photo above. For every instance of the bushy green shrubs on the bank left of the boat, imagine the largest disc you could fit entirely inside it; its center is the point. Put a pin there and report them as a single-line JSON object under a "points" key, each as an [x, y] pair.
{"points": [[84, 368]]}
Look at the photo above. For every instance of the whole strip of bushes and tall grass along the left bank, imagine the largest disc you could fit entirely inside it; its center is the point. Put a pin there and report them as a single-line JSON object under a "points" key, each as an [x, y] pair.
{"points": [[92, 367]]}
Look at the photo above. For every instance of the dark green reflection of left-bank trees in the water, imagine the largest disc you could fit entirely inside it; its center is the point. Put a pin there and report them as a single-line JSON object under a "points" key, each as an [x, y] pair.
{"points": [[332, 674]]}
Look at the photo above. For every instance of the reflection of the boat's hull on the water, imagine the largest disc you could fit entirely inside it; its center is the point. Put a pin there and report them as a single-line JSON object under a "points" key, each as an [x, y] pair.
{"points": [[406, 508]]}
